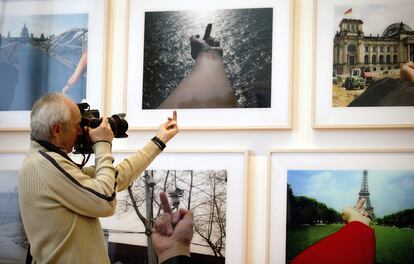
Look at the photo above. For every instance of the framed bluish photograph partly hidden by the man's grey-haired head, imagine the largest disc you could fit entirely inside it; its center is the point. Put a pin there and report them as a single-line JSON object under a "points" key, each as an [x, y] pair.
{"points": [[50, 46]]}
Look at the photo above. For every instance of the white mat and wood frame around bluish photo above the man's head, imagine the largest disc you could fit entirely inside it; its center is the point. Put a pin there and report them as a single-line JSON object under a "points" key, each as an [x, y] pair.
{"points": [[98, 25]]}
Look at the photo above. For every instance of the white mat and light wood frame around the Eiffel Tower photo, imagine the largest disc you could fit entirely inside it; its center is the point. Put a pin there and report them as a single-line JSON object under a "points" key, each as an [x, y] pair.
{"points": [[282, 160]]}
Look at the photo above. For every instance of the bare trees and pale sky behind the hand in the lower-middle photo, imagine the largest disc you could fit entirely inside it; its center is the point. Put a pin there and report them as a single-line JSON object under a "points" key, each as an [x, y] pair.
{"points": [[202, 191]]}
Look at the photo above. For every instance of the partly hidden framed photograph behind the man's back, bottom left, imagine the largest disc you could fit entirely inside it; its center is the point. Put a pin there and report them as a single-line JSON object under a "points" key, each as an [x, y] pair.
{"points": [[13, 239]]}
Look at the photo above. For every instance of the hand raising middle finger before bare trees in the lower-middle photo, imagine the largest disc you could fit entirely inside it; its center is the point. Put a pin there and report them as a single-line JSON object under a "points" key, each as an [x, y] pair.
{"points": [[172, 232]]}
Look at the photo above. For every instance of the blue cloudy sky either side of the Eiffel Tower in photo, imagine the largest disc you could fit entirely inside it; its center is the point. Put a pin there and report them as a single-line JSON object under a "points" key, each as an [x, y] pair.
{"points": [[390, 191]]}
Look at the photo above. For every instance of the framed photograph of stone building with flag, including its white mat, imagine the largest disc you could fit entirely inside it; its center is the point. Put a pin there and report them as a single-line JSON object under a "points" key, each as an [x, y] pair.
{"points": [[364, 76]]}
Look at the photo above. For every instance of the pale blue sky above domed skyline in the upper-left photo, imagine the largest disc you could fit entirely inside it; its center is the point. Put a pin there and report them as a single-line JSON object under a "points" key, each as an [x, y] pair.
{"points": [[37, 24]]}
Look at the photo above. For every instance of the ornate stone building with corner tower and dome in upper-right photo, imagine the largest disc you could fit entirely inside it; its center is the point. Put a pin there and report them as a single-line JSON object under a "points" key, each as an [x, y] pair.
{"points": [[378, 54]]}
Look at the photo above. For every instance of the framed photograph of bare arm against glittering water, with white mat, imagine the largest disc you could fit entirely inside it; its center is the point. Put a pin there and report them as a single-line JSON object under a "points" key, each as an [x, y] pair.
{"points": [[211, 62]]}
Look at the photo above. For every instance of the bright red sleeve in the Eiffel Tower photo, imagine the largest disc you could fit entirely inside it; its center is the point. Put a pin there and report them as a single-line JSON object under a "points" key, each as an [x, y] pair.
{"points": [[354, 243]]}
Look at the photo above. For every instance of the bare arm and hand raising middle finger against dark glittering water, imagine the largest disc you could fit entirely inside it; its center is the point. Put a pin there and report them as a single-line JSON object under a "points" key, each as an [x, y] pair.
{"points": [[207, 86]]}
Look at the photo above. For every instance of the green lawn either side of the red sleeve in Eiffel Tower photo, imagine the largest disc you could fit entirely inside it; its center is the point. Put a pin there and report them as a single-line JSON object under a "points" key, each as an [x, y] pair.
{"points": [[394, 245]]}
